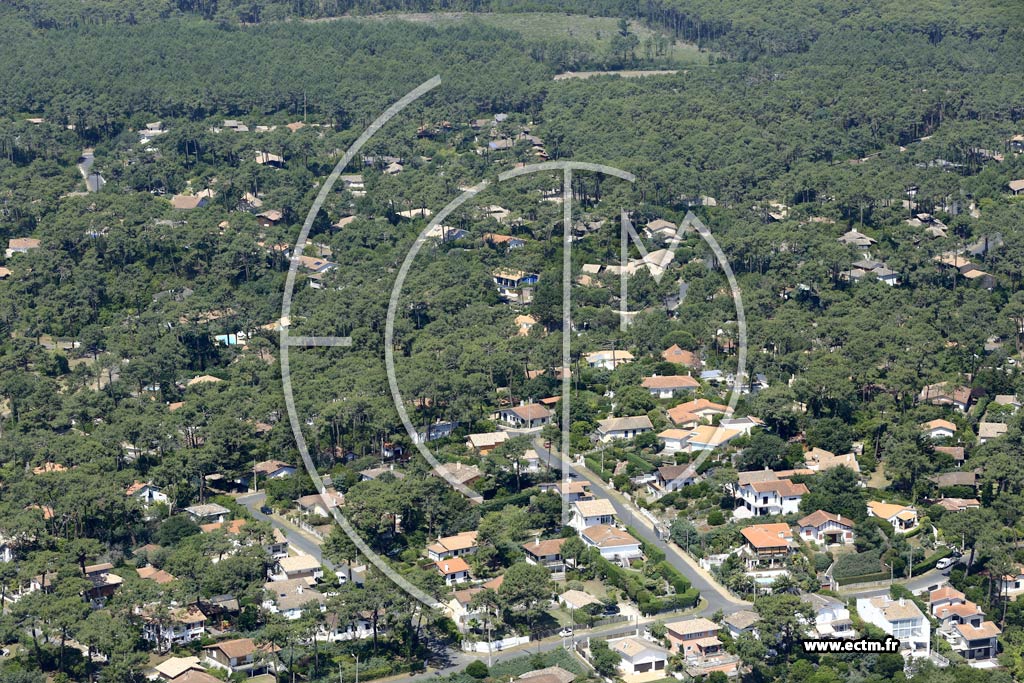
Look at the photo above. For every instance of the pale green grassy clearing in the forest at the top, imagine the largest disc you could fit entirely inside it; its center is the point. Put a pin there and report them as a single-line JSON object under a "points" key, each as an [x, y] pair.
{"points": [[595, 33]]}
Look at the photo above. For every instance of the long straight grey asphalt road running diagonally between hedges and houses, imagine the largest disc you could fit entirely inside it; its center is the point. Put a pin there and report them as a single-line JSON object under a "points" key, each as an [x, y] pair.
{"points": [[716, 596]]}
